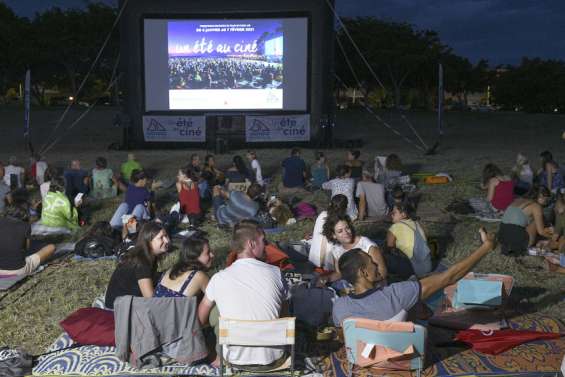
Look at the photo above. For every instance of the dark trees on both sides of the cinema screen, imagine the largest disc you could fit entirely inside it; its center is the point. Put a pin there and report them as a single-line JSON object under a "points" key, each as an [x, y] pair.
{"points": [[59, 46]]}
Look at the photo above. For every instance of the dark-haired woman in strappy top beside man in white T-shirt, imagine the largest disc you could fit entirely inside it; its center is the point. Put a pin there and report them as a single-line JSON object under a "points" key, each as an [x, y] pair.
{"points": [[188, 275]]}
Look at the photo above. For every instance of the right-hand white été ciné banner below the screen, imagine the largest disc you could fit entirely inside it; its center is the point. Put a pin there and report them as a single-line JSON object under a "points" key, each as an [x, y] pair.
{"points": [[277, 128]]}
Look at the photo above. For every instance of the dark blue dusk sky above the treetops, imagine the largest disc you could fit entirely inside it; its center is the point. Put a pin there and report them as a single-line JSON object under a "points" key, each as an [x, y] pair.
{"points": [[502, 31]]}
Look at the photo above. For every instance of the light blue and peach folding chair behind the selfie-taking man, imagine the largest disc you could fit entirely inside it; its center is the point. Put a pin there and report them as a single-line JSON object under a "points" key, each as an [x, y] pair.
{"points": [[397, 337]]}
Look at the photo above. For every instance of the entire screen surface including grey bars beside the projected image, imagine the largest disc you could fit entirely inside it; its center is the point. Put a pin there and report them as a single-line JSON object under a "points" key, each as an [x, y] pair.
{"points": [[234, 64]]}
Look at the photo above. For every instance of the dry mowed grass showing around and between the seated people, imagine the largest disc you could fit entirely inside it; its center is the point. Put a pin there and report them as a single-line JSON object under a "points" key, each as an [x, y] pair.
{"points": [[29, 314]]}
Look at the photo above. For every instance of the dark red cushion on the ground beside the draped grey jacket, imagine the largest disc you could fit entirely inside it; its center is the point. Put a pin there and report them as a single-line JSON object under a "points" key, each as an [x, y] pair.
{"points": [[90, 326]]}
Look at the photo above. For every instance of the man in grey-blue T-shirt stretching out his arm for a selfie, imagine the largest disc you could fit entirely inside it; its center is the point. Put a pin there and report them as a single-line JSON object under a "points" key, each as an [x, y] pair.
{"points": [[371, 301]]}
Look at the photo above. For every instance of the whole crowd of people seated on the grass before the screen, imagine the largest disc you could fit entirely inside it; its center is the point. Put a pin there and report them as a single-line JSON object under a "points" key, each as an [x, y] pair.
{"points": [[375, 281]]}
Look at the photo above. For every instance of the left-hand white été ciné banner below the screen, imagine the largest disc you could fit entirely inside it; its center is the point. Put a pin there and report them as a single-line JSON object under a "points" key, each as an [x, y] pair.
{"points": [[174, 128]]}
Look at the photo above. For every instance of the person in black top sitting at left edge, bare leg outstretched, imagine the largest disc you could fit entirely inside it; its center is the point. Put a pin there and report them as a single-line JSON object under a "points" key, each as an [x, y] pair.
{"points": [[15, 233]]}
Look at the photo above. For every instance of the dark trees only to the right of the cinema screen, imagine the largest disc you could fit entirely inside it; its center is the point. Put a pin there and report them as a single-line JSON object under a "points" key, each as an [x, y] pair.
{"points": [[403, 71]]}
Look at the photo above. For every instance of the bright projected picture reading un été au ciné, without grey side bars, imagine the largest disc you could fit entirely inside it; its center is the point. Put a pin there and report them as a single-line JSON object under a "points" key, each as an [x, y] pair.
{"points": [[230, 64]]}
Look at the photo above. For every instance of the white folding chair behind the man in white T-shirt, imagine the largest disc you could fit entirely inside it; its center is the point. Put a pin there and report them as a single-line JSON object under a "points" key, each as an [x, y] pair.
{"points": [[277, 332]]}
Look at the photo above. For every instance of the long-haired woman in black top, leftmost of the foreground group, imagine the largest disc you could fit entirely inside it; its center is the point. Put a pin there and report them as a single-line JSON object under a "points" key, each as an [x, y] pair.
{"points": [[136, 272]]}
